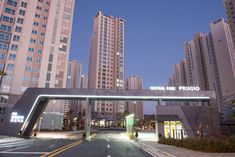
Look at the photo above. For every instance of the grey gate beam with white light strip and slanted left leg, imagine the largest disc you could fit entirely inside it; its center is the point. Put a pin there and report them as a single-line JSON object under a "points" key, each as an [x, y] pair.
{"points": [[24, 115]]}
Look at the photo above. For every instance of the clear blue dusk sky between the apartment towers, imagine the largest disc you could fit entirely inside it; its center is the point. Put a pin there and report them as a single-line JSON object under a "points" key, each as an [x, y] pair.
{"points": [[155, 31]]}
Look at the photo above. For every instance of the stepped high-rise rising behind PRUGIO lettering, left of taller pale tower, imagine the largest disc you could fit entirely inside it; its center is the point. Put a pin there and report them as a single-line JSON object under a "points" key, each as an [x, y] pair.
{"points": [[198, 62]]}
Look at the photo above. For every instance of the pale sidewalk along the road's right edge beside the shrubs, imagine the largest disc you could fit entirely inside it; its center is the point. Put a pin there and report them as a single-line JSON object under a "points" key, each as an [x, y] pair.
{"points": [[161, 150]]}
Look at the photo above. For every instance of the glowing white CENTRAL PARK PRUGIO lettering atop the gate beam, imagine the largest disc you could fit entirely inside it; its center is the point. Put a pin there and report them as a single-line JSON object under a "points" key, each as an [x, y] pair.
{"points": [[173, 88]]}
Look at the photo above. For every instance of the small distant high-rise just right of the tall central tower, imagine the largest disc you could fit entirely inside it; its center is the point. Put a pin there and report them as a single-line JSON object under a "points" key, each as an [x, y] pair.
{"points": [[136, 107]]}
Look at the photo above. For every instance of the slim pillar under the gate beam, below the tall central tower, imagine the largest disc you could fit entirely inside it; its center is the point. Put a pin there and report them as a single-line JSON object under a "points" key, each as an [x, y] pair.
{"points": [[88, 119]]}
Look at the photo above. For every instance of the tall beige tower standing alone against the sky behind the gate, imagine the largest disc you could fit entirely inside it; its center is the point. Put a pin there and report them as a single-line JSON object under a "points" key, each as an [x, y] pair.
{"points": [[106, 67]]}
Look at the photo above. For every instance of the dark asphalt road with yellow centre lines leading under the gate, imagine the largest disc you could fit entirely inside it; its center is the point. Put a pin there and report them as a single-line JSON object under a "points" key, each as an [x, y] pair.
{"points": [[102, 144]]}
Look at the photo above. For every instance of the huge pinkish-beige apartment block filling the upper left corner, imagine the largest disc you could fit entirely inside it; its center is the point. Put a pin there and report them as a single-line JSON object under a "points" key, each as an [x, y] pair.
{"points": [[34, 44]]}
